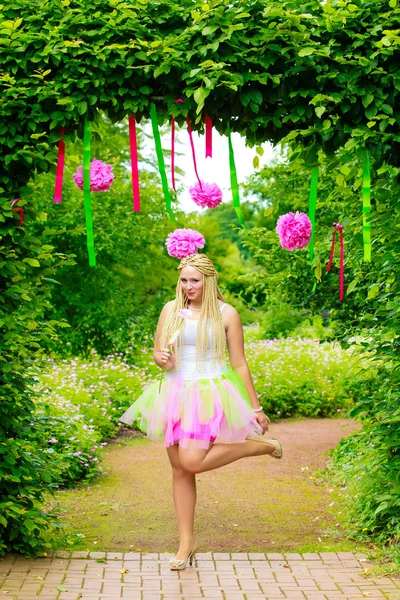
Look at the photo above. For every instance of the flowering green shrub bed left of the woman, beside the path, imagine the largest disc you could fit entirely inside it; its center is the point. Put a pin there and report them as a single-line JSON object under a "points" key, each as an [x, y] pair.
{"points": [[80, 403]]}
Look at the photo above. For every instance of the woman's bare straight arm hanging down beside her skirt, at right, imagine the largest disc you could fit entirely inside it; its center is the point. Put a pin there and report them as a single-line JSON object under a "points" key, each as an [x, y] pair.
{"points": [[235, 340]]}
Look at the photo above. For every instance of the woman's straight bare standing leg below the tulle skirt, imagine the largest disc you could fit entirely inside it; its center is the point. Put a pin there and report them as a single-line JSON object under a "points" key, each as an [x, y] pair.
{"points": [[184, 495]]}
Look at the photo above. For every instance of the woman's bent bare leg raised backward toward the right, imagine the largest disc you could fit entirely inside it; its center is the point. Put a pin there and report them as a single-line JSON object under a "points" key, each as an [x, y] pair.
{"points": [[196, 460]]}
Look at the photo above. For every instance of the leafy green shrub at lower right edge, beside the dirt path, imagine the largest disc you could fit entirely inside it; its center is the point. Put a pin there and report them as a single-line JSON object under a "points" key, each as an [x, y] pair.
{"points": [[367, 464]]}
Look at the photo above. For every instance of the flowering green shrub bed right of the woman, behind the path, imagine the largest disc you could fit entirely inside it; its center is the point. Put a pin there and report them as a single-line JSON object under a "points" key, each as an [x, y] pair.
{"points": [[302, 377]]}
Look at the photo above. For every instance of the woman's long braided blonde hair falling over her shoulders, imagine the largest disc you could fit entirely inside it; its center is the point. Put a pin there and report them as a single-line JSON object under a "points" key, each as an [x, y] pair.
{"points": [[210, 313]]}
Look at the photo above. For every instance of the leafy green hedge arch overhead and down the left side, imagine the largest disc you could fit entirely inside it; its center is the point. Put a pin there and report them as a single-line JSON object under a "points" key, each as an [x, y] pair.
{"points": [[323, 74]]}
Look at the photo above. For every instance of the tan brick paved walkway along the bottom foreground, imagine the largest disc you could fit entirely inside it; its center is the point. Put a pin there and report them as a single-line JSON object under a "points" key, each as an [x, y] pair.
{"points": [[239, 576]]}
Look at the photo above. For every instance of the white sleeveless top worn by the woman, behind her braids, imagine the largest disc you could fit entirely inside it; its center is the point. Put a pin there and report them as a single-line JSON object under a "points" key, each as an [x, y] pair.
{"points": [[187, 364]]}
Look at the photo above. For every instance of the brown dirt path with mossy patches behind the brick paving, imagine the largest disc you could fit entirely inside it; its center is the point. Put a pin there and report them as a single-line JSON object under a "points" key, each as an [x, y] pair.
{"points": [[250, 505]]}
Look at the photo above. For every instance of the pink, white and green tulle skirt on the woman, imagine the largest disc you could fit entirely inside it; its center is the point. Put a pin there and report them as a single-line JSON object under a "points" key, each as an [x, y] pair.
{"points": [[205, 409]]}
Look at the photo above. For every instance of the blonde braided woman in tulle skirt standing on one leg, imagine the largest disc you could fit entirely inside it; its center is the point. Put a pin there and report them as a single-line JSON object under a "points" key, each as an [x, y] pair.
{"points": [[207, 413]]}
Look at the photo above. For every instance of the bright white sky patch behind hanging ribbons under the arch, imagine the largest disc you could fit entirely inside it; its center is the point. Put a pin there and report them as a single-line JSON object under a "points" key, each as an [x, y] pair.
{"points": [[211, 170]]}
